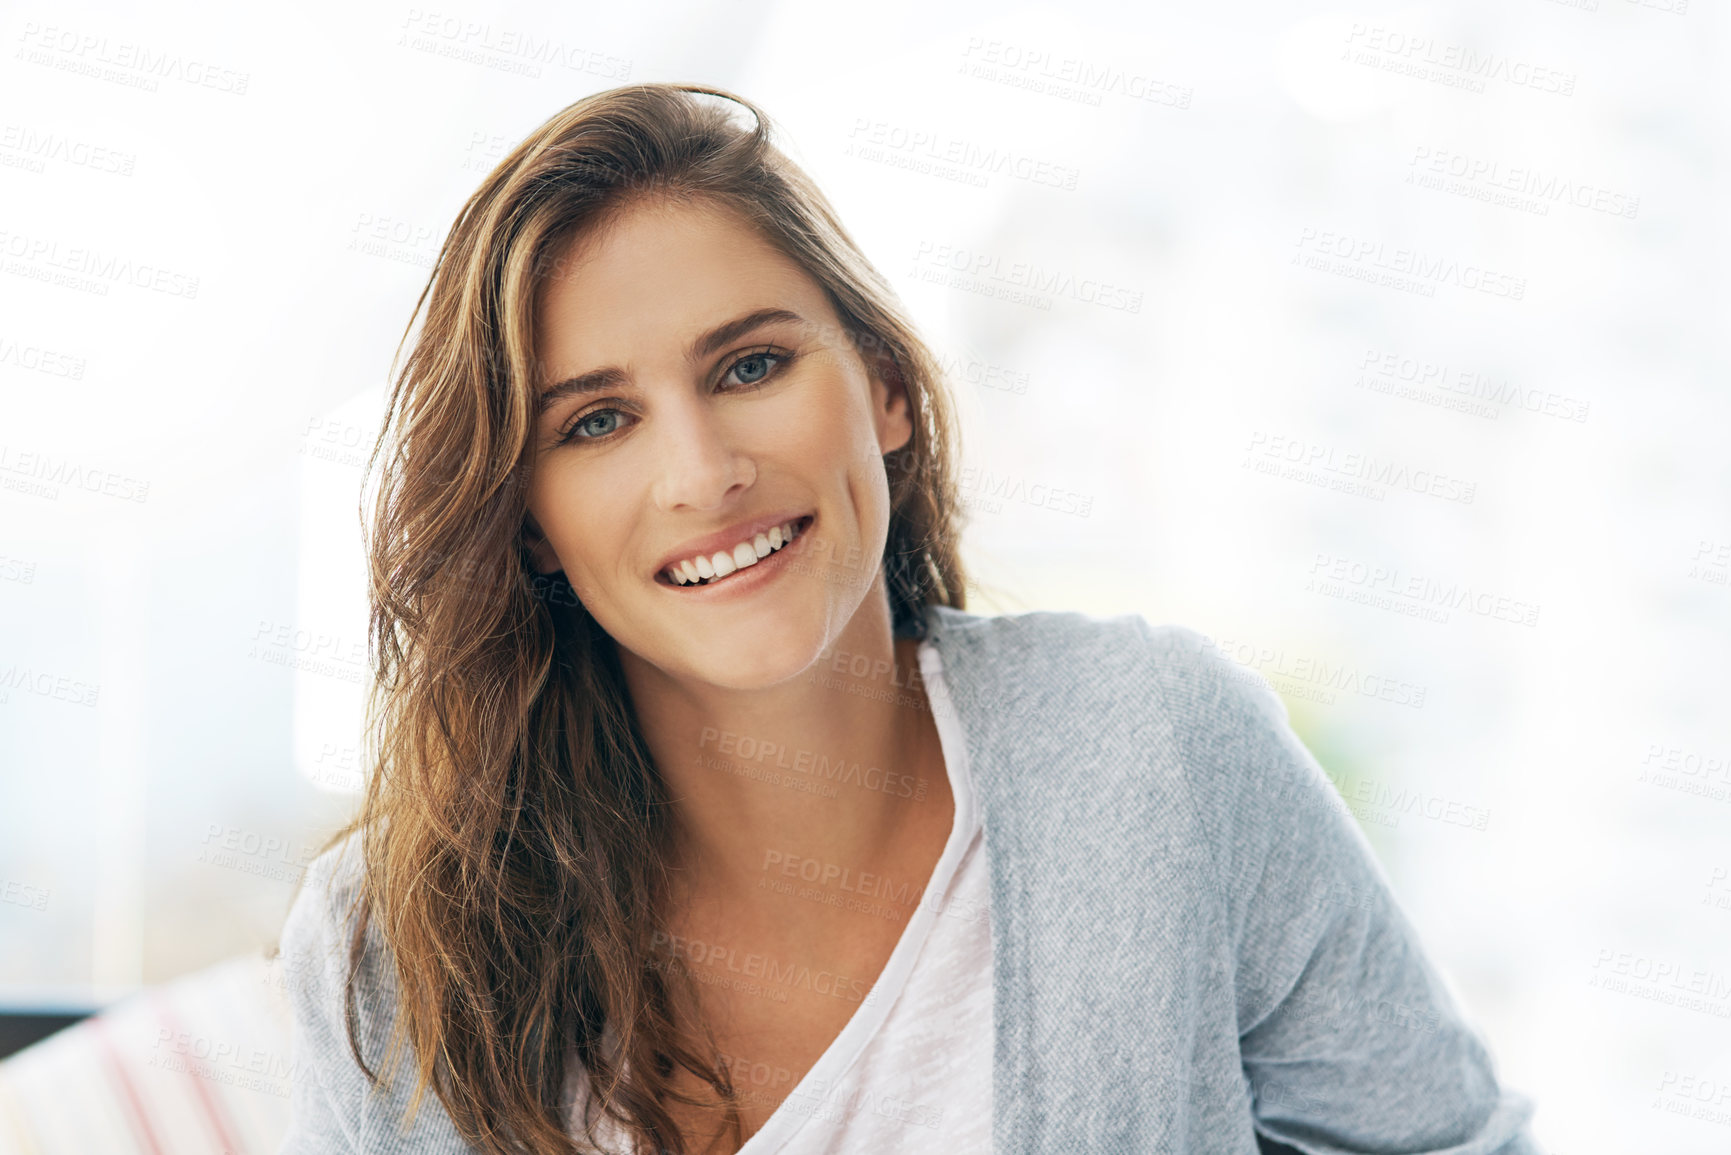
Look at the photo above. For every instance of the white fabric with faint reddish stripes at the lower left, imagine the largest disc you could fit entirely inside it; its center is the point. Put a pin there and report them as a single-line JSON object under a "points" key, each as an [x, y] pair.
{"points": [[195, 1068]]}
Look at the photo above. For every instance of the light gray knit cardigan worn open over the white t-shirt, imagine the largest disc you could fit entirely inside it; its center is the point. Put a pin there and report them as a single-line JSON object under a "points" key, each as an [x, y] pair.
{"points": [[1192, 939]]}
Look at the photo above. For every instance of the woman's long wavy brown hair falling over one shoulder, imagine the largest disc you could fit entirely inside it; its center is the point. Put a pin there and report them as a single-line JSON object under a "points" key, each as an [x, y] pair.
{"points": [[515, 829]]}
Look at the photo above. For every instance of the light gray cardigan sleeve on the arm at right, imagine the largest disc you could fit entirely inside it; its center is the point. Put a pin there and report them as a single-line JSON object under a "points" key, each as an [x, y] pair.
{"points": [[1349, 1038]]}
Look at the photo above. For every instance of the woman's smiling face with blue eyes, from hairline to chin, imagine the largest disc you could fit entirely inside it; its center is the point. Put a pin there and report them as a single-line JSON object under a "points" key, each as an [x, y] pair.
{"points": [[698, 427]]}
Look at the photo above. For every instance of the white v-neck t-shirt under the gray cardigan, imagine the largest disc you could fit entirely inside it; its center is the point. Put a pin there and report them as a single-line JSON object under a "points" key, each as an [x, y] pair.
{"points": [[911, 1073]]}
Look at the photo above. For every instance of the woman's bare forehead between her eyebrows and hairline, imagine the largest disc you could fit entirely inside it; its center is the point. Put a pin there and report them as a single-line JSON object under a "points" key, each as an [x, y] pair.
{"points": [[652, 274]]}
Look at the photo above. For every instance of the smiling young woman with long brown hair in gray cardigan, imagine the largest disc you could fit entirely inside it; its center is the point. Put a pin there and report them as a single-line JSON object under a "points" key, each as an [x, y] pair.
{"points": [[704, 815]]}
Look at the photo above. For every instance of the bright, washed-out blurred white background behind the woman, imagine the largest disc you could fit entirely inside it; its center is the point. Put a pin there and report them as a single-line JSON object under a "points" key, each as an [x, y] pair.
{"points": [[1382, 344]]}
